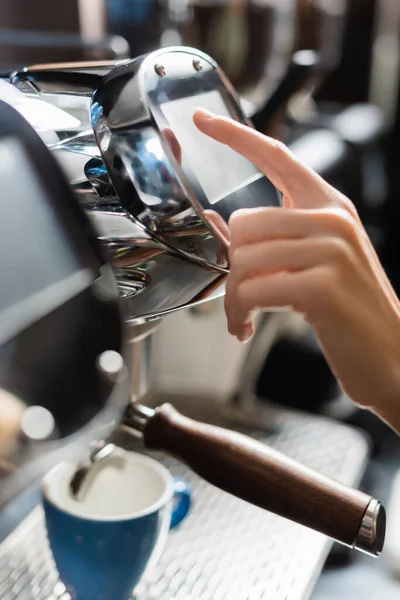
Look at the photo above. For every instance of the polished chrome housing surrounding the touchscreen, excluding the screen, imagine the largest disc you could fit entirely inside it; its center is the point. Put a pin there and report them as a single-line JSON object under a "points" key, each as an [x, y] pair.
{"points": [[148, 212]]}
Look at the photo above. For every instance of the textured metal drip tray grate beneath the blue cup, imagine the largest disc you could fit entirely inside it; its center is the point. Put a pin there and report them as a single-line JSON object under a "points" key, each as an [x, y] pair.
{"points": [[226, 549]]}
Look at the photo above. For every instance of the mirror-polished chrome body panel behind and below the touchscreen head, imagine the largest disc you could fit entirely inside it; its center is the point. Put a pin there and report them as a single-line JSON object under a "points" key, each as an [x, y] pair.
{"points": [[154, 279]]}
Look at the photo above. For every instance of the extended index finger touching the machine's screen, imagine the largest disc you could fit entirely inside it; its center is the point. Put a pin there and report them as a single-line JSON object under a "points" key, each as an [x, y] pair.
{"points": [[299, 183]]}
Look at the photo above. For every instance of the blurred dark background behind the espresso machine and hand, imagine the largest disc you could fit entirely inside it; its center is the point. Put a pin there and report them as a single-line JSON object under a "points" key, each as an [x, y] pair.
{"points": [[322, 75]]}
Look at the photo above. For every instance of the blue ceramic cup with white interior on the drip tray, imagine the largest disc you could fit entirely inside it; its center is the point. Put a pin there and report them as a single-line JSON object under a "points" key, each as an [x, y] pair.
{"points": [[100, 558]]}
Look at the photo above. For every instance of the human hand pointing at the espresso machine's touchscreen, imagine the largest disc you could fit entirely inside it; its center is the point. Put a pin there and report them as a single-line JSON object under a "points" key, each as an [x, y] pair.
{"points": [[314, 257]]}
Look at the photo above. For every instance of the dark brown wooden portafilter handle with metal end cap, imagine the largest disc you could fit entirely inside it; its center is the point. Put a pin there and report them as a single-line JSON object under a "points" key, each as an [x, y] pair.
{"points": [[264, 477]]}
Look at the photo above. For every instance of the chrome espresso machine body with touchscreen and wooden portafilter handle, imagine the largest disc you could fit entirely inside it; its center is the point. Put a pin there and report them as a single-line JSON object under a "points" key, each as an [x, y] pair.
{"points": [[123, 134]]}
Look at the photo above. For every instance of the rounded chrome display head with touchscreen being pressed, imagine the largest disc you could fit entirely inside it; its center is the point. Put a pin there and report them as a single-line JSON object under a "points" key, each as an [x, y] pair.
{"points": [[136, 114]]}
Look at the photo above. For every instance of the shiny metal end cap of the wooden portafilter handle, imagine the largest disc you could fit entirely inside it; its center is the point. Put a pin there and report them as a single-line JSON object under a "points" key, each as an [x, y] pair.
{"points": [[370, 538]]}
